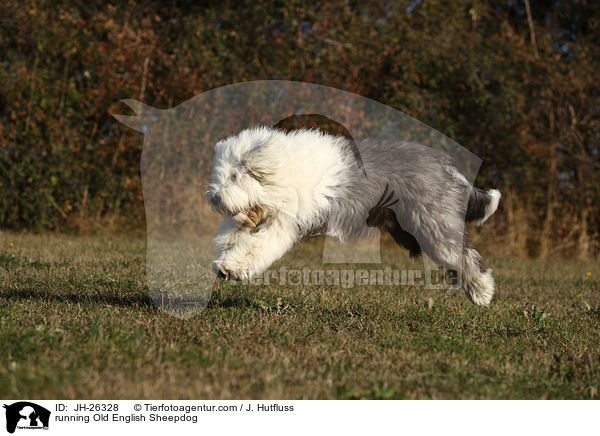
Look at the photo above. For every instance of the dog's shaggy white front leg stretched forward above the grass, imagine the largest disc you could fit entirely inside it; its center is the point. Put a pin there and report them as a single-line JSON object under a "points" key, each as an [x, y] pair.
{"points": [[254, 252]]}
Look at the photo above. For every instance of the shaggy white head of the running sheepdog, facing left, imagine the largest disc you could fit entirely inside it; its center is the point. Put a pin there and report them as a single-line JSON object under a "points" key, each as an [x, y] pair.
{"points": [[241, 170]]}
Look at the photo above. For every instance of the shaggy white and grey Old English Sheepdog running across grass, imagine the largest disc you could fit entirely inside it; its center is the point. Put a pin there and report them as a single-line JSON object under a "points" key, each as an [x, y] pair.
{"points": [[277, 188]]}
